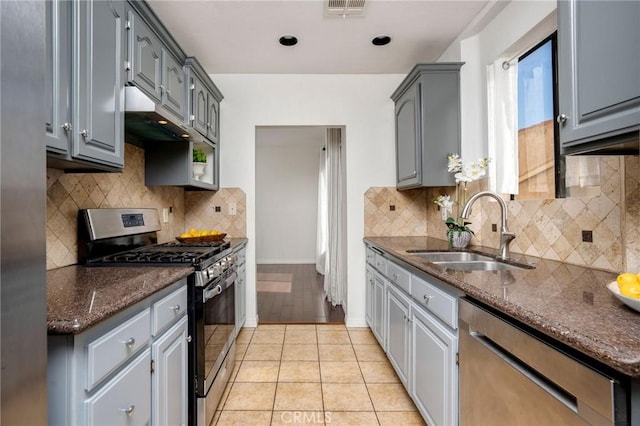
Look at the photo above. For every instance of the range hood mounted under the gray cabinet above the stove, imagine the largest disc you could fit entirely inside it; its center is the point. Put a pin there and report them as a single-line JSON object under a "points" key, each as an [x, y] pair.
{"points": [[147, 122]]}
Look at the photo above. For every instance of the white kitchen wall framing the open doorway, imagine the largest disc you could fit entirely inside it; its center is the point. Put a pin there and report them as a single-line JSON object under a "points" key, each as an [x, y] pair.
{"points": [[360, 103]]}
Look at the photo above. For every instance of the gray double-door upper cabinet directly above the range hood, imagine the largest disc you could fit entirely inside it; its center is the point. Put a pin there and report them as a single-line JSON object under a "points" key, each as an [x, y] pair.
{"points": [[153, 66]]}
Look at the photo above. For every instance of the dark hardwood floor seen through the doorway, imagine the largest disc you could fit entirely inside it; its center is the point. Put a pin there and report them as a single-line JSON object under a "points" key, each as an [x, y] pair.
{"points": [[305, 303]]}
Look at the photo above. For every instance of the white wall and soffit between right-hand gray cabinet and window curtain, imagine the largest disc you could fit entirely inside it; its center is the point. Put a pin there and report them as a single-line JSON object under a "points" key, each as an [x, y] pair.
{"points": [[480, 47]]}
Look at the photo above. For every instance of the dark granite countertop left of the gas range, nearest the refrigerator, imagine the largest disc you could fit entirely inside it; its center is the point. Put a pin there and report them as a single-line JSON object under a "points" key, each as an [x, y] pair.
{"points": [[79, 297]]}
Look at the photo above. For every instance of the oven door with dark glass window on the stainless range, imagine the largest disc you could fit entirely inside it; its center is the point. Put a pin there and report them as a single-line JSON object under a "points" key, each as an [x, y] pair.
{"points": [[216, 324]]}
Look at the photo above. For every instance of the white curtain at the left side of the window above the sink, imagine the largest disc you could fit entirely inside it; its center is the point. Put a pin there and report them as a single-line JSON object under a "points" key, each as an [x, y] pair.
{"points": [[502, 111]]}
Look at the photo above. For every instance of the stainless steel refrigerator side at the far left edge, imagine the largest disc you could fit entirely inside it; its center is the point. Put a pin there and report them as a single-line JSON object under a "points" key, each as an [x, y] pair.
{"points": [[23, 294]]}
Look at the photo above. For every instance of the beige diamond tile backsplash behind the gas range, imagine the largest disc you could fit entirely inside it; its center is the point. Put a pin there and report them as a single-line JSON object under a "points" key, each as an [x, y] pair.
{"points": [[69, 192]]}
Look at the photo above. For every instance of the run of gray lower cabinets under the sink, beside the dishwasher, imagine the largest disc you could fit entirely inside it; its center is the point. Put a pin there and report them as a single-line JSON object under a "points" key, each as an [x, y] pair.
{"points": [[420, 324]]}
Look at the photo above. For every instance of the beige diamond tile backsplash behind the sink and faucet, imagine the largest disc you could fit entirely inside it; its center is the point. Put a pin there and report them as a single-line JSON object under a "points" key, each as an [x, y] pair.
{"points": [[551, 229]]}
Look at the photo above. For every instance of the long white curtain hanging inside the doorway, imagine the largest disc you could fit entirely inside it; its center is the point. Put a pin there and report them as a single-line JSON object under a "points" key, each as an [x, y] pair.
{"points": [[331, 220]]}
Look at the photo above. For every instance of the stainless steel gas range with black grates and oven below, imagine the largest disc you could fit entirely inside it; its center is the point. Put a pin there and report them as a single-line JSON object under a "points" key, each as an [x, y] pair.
{"points": [[128, 237]]}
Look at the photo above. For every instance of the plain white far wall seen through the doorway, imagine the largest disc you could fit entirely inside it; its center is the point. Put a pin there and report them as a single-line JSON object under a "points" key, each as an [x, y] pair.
{"points": [[287, 163]]}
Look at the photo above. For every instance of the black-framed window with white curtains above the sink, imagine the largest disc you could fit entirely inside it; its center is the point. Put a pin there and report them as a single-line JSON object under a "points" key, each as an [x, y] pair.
{"points": [[523, 125]]}
